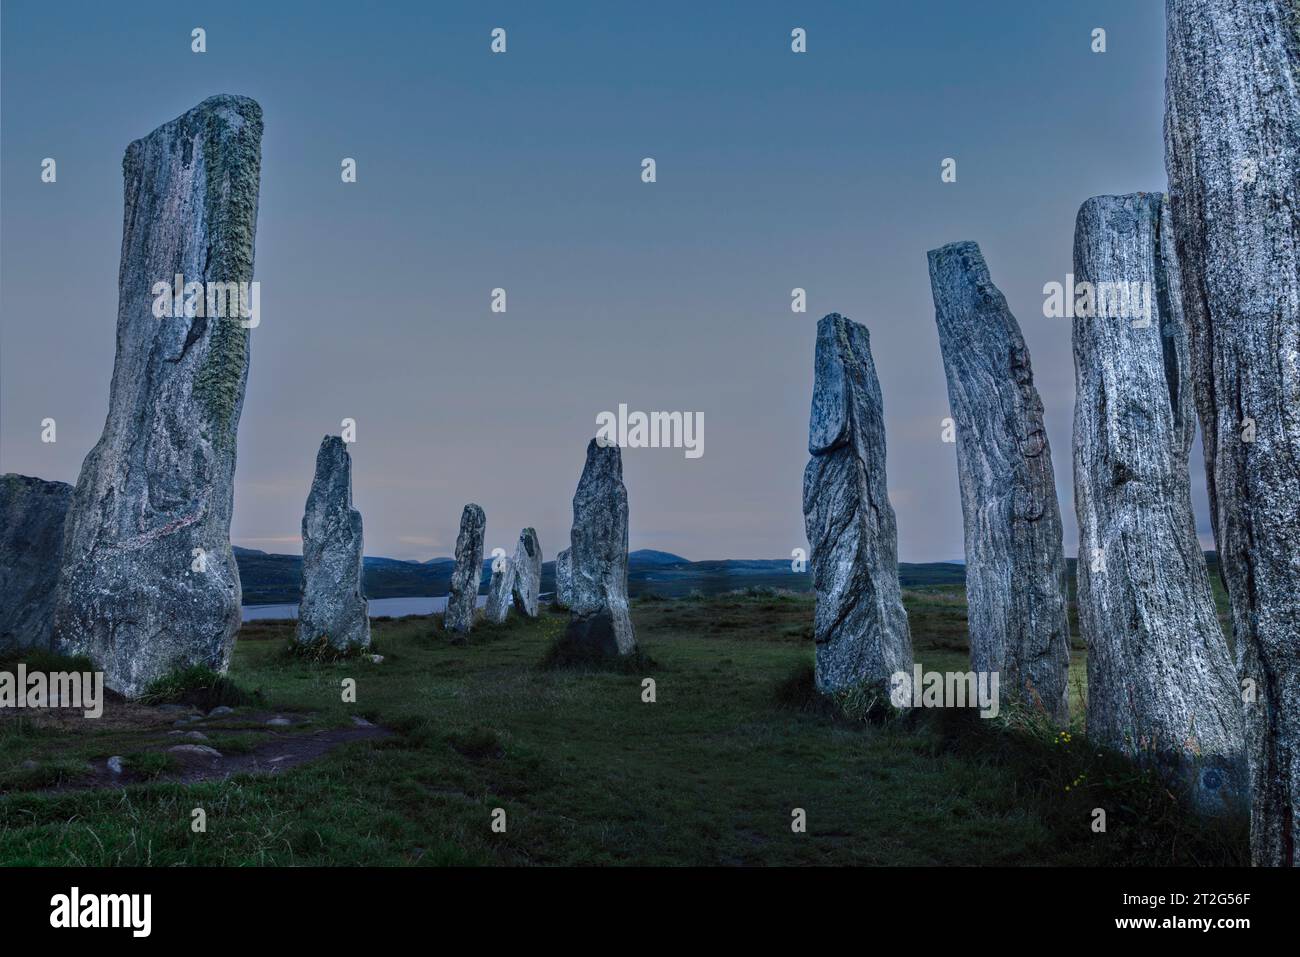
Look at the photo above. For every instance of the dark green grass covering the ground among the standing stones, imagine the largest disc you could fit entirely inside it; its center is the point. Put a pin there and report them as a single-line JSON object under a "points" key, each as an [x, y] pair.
{"points": [[588, 774]]}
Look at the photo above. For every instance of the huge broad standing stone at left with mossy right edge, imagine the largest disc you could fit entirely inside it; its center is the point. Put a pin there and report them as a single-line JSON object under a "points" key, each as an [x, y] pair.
{"points": [[150, 581]]}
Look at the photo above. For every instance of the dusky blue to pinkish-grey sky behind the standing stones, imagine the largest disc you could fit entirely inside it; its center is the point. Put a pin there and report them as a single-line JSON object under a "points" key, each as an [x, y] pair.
{"points": [[523, 171]]}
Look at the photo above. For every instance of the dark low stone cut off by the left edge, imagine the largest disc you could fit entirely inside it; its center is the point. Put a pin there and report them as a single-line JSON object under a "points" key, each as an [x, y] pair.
{"points": [[32, 549]]}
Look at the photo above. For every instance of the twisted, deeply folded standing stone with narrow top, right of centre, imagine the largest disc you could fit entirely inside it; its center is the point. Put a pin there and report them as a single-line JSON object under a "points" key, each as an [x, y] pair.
{"points": [[860, 625]]}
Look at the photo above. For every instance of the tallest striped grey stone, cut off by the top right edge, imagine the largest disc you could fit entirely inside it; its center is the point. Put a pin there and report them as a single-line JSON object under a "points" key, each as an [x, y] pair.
{"points": [[1233, 153]]}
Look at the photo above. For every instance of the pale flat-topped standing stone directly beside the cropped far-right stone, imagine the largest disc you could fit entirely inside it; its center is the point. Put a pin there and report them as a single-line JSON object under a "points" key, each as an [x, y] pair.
{"points": [[1162, 686]]}
